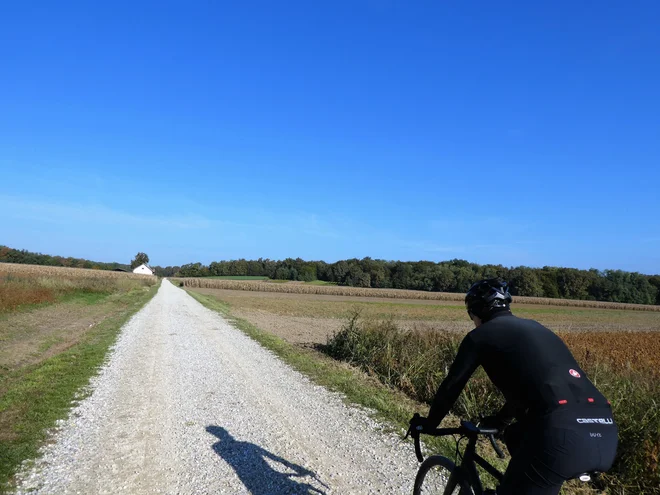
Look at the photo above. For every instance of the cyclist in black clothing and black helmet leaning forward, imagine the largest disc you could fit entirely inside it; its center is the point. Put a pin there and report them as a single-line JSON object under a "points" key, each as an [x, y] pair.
{"points": [[564, 424]]}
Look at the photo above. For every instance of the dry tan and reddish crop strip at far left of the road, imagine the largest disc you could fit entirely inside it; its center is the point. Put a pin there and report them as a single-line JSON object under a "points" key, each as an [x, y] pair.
{"points": [[22, 285]]}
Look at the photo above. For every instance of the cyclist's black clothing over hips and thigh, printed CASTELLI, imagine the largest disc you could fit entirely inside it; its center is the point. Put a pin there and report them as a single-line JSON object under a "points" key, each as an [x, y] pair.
{"points": [[549, 450]]}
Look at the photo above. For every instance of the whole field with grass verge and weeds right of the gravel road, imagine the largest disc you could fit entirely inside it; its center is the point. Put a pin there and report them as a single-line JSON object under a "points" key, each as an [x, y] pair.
{"points": [[412, 341]]}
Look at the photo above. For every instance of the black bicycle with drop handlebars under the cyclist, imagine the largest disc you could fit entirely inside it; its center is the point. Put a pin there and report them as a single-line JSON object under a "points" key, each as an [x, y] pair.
{"points": [[440, 475]]}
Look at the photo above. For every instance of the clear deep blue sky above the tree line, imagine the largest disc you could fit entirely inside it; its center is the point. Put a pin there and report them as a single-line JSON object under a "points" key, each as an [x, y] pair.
{"points": [[521, 133]]}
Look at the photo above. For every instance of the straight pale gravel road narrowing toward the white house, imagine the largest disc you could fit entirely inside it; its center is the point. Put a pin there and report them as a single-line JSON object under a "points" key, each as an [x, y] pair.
{"points": [[187, 404]]}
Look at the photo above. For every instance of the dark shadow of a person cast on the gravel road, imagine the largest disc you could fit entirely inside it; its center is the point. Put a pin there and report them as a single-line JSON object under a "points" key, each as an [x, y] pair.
{"points": [[251, 465]]}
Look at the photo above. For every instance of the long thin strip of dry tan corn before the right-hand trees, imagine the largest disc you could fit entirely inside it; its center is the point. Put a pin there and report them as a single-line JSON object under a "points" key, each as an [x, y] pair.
{"points": [[390, 293]]}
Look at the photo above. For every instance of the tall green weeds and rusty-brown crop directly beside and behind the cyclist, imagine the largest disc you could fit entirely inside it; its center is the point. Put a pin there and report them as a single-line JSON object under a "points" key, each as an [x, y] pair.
{"points": [[624, 366]]}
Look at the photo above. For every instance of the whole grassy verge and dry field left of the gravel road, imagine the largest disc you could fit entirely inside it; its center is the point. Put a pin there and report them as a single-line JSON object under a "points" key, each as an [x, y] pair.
{"points": [[56, 326]]}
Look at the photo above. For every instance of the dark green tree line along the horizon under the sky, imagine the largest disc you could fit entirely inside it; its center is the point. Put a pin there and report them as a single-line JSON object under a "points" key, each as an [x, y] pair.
{"points": [[445, 276]]}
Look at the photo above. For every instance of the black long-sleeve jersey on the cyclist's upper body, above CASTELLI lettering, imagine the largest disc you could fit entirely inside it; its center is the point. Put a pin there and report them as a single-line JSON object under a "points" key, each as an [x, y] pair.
{"points": [[526, 361]]}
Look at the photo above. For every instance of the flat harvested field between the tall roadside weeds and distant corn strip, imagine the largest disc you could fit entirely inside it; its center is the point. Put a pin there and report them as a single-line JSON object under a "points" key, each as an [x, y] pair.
{"points": [[311, 318]]}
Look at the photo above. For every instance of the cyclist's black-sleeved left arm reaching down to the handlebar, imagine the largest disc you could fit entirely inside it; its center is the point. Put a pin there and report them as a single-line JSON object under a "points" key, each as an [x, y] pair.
{"points": [[465, 363]]}
